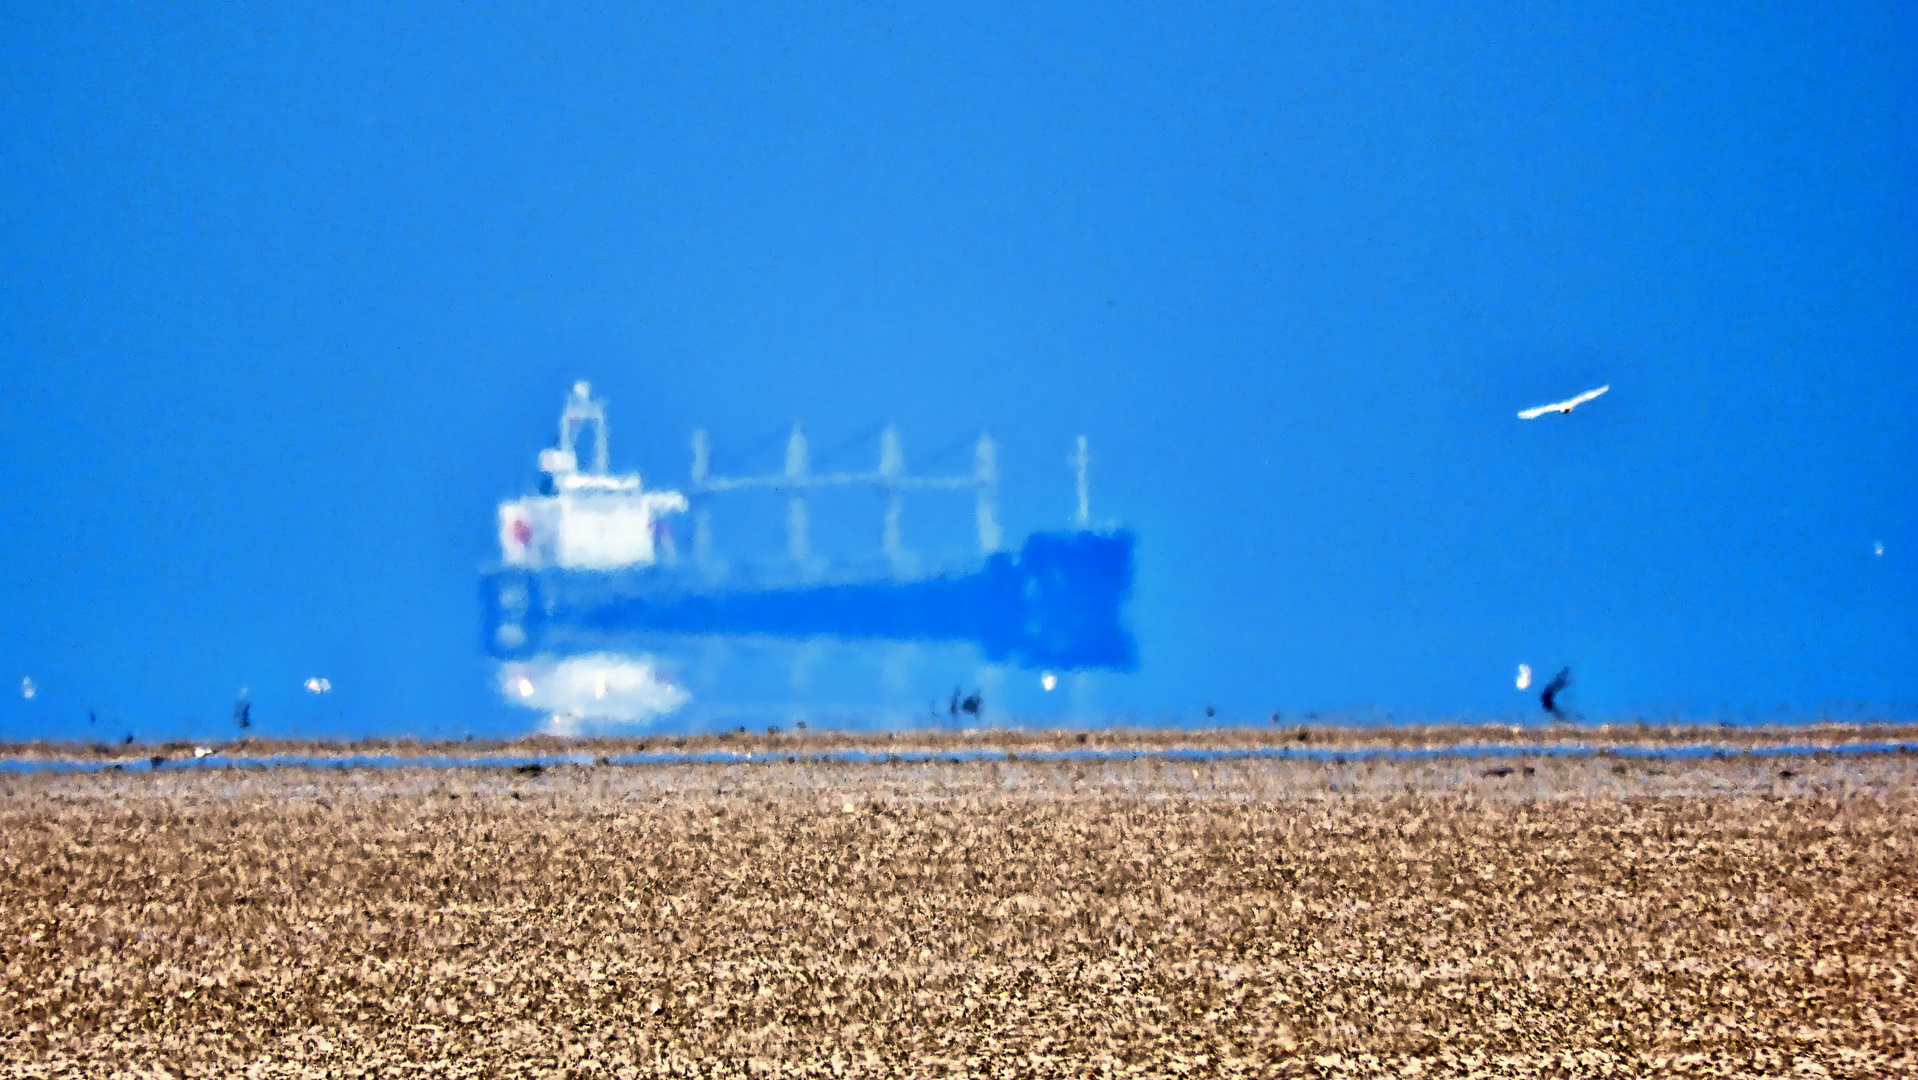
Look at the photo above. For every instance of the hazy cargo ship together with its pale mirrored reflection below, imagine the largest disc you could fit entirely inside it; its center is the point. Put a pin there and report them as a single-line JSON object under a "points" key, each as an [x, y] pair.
{"points": [[599, 626]]}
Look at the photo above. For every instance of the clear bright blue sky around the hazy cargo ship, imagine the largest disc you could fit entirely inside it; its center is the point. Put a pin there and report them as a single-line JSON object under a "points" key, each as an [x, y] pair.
{"points": [[291, 298]]}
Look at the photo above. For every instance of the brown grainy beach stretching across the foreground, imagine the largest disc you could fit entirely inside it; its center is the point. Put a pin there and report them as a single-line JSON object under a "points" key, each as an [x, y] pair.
{"points": [[996, 916]]}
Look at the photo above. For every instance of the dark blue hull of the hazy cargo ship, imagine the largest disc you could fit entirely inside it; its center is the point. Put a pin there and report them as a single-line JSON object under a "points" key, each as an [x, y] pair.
{"points": [[1058, 603]]}
